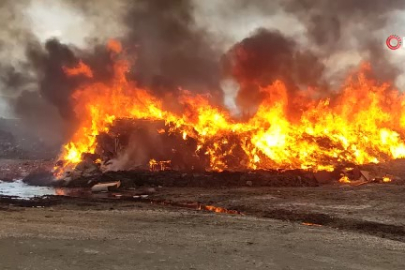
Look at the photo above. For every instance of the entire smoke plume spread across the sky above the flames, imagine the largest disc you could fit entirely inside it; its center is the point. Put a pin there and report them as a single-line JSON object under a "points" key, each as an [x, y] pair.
{"points": [[172, 50]]}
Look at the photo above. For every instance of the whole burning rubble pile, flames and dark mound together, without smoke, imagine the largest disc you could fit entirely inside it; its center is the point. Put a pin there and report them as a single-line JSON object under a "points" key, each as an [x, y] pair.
{"points": [[125, 127]]}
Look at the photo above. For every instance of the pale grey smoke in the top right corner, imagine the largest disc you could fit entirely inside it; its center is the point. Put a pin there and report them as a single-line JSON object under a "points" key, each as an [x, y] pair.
{"points": [[335, 26]]}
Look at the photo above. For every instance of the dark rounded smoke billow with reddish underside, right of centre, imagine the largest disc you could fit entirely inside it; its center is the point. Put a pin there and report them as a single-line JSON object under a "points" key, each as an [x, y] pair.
{"points": [[265, 57]]}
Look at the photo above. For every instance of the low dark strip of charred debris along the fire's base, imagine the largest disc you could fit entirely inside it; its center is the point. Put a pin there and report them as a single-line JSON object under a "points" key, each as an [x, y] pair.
{"points": [[131, 179]]}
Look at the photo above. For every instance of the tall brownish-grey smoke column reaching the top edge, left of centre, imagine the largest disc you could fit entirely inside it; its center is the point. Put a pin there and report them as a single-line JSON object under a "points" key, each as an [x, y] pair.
{"points": [[172, 51]]}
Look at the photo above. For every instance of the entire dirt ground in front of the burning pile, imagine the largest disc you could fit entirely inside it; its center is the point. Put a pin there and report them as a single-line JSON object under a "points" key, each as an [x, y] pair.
{"points": [[325, 227]]}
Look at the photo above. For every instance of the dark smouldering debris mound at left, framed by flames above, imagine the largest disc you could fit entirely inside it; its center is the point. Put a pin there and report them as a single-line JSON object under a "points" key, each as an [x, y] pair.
{"points": [[144, 144]]}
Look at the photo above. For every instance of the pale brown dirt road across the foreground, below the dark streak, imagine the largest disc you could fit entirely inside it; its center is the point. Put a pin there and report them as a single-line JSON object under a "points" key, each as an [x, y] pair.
{"points": [[59, 238]]}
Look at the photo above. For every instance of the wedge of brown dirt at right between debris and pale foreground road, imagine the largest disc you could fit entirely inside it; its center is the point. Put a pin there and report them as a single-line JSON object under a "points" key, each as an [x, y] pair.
{"points": [[375, 209]]}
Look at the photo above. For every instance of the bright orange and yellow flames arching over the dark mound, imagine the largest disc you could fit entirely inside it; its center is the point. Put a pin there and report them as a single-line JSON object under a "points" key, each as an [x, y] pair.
{"points": [[363, 123]]}
